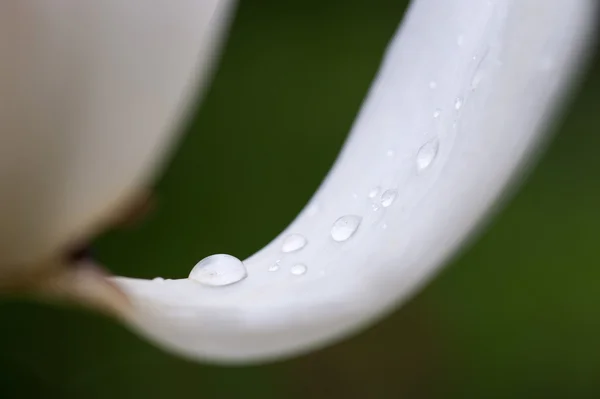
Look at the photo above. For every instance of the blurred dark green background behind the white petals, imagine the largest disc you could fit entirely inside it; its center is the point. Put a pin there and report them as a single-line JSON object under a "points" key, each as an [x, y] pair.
{"points": [[516, 316]]}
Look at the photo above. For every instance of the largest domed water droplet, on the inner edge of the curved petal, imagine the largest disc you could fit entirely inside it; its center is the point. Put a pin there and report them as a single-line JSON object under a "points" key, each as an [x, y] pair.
{"points": [[218, 270]]}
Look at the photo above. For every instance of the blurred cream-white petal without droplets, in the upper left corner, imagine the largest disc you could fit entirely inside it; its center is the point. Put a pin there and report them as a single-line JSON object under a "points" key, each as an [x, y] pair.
{"points": [[91, 92]]}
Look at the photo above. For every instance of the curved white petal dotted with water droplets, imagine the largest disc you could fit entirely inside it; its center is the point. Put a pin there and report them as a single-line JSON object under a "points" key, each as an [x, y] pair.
{"points": [[501, 69]]}
